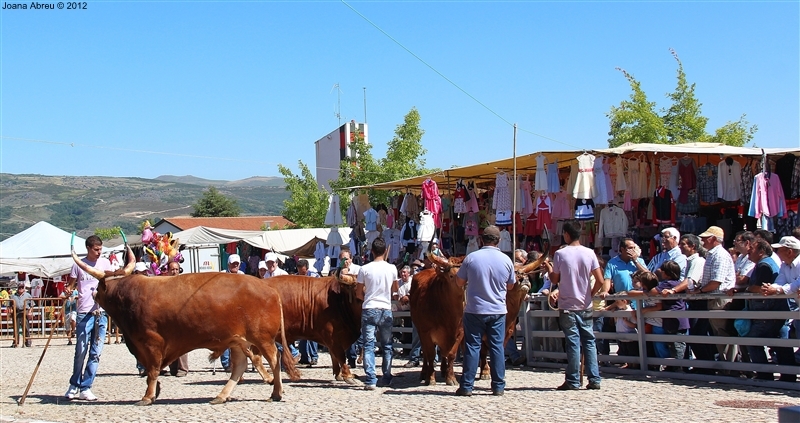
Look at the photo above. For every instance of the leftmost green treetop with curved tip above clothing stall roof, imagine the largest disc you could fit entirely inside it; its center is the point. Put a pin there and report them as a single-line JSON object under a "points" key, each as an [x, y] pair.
{"points": [[635, 120]]}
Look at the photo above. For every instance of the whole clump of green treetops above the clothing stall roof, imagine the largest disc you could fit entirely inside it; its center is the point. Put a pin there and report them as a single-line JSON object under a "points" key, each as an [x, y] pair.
{"points": [[636, 120]]}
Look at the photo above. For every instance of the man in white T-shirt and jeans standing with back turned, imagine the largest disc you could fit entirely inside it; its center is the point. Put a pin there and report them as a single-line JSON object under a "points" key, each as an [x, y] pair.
{"points": [[376, 283]]}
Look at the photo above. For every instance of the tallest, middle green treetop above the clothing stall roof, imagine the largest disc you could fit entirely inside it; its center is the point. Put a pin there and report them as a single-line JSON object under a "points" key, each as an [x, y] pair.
{"points": [[683, 120]]}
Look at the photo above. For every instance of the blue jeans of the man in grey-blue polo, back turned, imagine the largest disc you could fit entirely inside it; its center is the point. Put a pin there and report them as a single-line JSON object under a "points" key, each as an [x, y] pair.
{"points": [[475, 326]]}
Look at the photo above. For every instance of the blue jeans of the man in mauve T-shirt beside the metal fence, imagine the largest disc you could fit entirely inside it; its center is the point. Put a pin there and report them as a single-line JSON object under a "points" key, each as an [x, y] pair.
{"points": [[577, 328]]}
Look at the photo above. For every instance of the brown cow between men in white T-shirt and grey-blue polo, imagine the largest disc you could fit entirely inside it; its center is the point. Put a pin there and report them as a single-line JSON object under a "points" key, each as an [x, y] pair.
{"points": [[437, 308]]}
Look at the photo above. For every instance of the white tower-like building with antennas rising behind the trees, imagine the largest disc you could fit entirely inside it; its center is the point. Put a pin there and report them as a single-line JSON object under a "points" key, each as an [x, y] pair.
{"points": [[335, 147]]}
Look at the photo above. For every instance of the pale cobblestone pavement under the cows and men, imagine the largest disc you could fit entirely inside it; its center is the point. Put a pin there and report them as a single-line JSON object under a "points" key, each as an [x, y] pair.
{"points": [[530, 396]]}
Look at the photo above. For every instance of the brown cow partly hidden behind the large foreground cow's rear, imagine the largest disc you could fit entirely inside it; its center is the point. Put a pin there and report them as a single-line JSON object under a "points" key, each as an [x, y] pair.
{"points": [[324, 310]]}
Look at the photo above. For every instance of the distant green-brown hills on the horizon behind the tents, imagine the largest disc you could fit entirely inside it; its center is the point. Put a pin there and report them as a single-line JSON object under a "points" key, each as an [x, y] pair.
{"points": [[83, 203]]}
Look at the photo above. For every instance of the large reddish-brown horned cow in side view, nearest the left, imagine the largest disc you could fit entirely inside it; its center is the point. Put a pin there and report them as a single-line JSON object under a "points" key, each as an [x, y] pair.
{"points": [[165, 317]]}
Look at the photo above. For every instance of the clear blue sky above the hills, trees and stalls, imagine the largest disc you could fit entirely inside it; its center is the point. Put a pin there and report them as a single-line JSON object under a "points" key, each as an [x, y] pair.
{"points": [[230, 89]]}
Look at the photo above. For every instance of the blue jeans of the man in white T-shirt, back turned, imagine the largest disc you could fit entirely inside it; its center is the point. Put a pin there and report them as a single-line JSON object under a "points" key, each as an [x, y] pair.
{"points": [[377, 320]]}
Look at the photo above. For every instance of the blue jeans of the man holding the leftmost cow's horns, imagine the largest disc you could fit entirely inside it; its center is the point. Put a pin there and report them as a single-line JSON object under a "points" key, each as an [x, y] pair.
{"points": [[88, 341]]}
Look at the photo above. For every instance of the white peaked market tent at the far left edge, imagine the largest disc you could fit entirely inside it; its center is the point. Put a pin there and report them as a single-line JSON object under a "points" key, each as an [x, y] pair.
{"points": [[42, 250]]}
